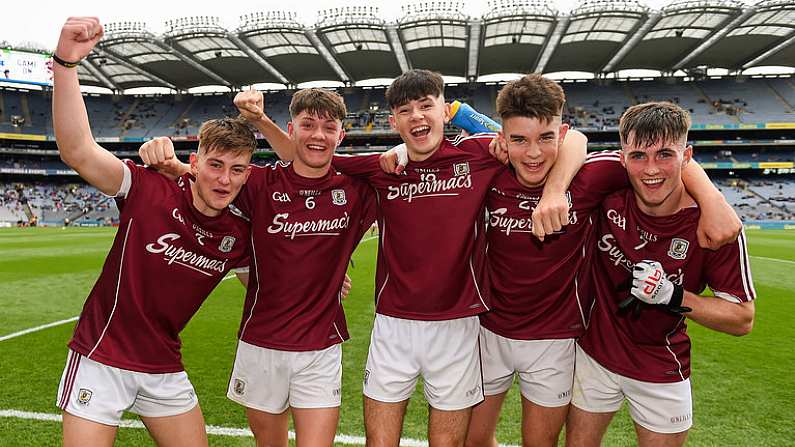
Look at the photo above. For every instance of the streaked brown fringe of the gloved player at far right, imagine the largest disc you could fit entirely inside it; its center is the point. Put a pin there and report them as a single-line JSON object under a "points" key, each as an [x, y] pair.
{"points": [[653, 122]]}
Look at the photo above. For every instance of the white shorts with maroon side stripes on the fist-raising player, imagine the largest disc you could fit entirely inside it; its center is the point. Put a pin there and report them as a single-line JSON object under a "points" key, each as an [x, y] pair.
{"points": [[102, 393]]}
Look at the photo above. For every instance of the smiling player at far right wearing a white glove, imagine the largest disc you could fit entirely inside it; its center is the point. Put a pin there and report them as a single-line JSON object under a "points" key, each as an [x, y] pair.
{"points": [[636, 347]]}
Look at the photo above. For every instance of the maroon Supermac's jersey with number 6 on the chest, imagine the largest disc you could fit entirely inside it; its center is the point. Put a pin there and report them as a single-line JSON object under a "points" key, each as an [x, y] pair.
{"points": [[303, 232]]}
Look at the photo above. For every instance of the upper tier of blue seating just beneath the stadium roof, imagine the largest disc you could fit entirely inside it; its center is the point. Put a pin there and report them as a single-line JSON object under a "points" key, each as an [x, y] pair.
{"points": [[590, 106]]}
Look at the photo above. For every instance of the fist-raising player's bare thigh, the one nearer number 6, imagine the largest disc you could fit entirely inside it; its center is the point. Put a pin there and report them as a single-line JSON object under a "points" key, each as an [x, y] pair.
{"points": [[182, 429]]}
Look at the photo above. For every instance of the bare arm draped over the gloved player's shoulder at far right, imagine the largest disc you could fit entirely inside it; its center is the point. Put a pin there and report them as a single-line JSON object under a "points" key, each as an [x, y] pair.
{"points": [[718, 224]]}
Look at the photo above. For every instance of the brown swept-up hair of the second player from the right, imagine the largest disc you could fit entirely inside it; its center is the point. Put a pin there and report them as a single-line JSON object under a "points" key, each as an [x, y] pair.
{"points": [[531, 96]]}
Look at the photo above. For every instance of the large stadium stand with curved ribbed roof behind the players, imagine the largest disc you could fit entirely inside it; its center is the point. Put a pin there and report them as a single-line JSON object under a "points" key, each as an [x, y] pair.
{"points": [[747, 121]]}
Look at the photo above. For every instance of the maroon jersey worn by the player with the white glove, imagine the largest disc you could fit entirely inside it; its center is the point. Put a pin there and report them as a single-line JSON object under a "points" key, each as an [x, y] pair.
{"points": [[654, 346]]}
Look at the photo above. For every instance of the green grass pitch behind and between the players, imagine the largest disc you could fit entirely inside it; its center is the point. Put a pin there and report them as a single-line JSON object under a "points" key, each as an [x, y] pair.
{"points": [[743, 390]]}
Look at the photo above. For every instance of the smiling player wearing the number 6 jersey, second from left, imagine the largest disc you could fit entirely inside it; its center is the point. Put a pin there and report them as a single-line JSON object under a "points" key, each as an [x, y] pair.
{"points": [[306, 221]]}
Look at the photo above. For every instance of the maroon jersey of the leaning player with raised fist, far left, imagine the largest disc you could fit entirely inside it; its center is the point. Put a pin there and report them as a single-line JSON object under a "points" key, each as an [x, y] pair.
{"points": [[166, 258]]}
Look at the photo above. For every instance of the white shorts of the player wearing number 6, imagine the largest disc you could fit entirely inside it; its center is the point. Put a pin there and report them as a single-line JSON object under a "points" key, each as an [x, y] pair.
{"points": [[271, 380]]}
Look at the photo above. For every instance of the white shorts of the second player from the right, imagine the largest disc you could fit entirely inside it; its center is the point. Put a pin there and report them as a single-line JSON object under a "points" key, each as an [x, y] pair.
{"points": [[545, 367]]}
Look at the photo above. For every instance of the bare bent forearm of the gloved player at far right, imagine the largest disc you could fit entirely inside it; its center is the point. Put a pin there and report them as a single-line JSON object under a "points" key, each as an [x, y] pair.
{"points": [[719, 314]]}
